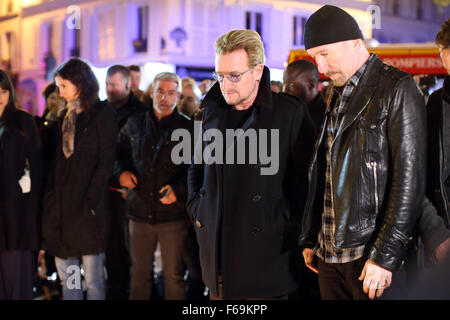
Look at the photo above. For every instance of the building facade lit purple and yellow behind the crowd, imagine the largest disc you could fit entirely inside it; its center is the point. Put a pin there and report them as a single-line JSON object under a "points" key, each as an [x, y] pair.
{"points": [[175, 35]]}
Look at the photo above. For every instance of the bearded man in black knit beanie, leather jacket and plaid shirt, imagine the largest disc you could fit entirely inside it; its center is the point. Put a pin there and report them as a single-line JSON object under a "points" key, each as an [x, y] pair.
{"points": [[367, 175]]}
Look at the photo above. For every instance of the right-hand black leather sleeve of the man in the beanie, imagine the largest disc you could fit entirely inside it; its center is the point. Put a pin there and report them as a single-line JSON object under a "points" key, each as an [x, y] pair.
{"points": [[406, 131]]}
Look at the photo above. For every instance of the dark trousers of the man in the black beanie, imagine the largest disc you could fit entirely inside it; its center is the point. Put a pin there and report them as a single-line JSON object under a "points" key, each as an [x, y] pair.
{"points": [[339, 281]]}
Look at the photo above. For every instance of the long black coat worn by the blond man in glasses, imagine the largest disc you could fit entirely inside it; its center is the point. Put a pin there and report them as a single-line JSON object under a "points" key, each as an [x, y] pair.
{"points": [[246, 221]]}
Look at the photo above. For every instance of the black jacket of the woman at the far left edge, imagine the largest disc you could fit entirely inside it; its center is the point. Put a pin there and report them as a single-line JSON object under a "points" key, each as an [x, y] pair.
{"points": [[19, 212]]}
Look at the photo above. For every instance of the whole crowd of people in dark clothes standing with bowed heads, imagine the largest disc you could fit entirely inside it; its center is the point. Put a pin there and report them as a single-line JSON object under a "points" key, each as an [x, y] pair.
{"points": [[356, 209]]}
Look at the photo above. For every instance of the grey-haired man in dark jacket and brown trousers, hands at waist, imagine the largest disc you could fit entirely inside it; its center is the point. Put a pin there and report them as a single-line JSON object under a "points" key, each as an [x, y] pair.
{"points": [[157, 191]]}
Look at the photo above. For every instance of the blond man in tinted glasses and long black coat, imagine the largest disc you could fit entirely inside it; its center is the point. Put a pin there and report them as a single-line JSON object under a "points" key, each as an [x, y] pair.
{"points": [[245, 211]]}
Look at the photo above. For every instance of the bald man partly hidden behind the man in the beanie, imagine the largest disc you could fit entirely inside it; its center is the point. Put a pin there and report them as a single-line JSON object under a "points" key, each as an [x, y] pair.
{"points": [[301, 79]]}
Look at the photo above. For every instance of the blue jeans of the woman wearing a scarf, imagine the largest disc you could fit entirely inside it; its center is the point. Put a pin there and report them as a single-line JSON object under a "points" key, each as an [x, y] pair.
{"points": [[69, 271]]}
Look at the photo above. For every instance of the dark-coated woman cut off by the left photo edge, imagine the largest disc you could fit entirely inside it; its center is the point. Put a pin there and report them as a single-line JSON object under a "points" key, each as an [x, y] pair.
{"points": [[20, 186]]}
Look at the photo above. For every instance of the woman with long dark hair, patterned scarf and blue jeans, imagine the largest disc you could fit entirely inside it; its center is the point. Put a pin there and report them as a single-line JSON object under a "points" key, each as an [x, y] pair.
{"points": [[75, 205]]}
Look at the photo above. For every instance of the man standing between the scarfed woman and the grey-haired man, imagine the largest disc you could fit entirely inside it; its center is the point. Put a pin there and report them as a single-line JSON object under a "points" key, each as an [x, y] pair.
{"points": [[117, 258]]}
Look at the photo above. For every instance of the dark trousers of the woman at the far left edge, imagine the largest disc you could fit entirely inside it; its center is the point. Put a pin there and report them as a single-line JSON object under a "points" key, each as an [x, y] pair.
{"points": [[17, 272]]}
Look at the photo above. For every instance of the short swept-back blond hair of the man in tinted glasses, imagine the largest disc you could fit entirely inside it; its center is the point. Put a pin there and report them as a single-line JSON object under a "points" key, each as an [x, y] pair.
{"points": [[248, 40]]}
